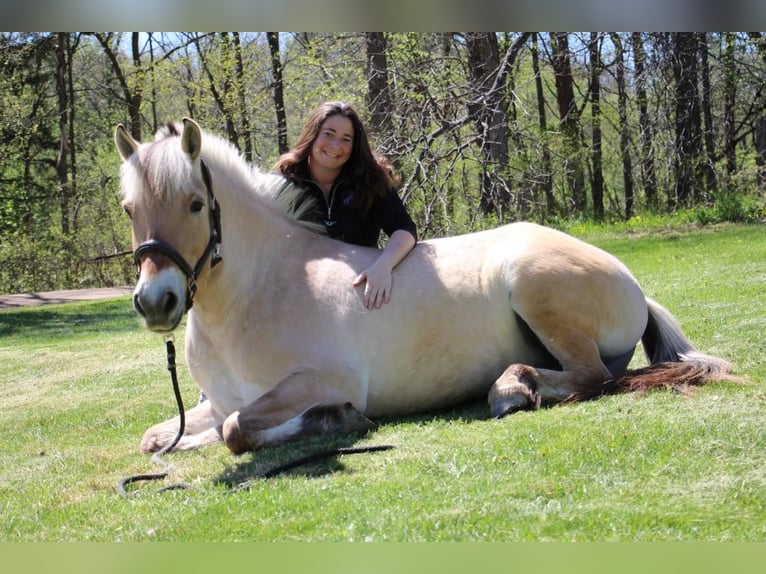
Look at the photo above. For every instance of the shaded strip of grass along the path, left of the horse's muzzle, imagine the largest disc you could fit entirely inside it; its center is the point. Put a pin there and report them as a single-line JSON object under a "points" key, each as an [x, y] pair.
{"points": [[69, 319]]}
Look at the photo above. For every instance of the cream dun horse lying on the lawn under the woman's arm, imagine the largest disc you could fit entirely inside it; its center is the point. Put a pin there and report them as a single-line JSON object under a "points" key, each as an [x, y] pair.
{"points": [[284, 349]]}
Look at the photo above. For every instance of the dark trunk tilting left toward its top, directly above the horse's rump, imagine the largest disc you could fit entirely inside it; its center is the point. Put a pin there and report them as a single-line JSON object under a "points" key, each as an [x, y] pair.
{"points": [[569, 123]]}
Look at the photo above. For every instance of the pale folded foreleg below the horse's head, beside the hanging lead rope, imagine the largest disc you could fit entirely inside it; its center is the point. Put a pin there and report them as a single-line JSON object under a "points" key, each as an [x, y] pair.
{"points": [[202, 426]]}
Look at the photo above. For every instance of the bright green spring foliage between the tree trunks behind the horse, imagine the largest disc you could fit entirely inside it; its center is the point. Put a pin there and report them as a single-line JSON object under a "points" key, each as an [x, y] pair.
{"points": [[49, 232]]}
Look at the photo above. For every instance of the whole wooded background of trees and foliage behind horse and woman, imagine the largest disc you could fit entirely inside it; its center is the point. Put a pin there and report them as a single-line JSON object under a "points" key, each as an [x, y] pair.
{"points": [[484, 128]]}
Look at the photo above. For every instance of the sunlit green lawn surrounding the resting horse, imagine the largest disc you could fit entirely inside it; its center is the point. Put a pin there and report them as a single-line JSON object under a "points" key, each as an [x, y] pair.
{"points": [[80, 383]]}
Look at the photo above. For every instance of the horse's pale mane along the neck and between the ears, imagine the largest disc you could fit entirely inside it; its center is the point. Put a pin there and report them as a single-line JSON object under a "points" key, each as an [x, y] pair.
{"points": [[286, 197]]}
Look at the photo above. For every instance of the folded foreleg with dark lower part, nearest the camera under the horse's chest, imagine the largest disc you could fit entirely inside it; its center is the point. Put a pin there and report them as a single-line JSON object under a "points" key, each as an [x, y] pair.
{"points": [[299, 406]]}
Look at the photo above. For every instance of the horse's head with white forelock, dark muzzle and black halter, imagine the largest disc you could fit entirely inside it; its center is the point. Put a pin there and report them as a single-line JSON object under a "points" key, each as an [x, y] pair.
{"points": [[167, 193]]}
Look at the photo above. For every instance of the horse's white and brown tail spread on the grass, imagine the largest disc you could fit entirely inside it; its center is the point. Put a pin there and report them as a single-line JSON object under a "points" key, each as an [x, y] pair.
{"points": [[674, 362]]}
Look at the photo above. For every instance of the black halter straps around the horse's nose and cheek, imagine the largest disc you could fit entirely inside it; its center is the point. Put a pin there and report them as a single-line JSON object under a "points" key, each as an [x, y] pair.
{"points": [[213, 245]]}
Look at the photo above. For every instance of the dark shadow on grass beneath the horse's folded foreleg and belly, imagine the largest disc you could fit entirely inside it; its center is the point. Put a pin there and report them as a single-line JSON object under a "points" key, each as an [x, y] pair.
{"points": [[322, 454]]}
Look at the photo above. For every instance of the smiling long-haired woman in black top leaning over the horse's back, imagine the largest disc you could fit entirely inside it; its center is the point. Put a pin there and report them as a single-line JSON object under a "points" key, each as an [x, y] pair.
{"points": [[354, 192]]}
